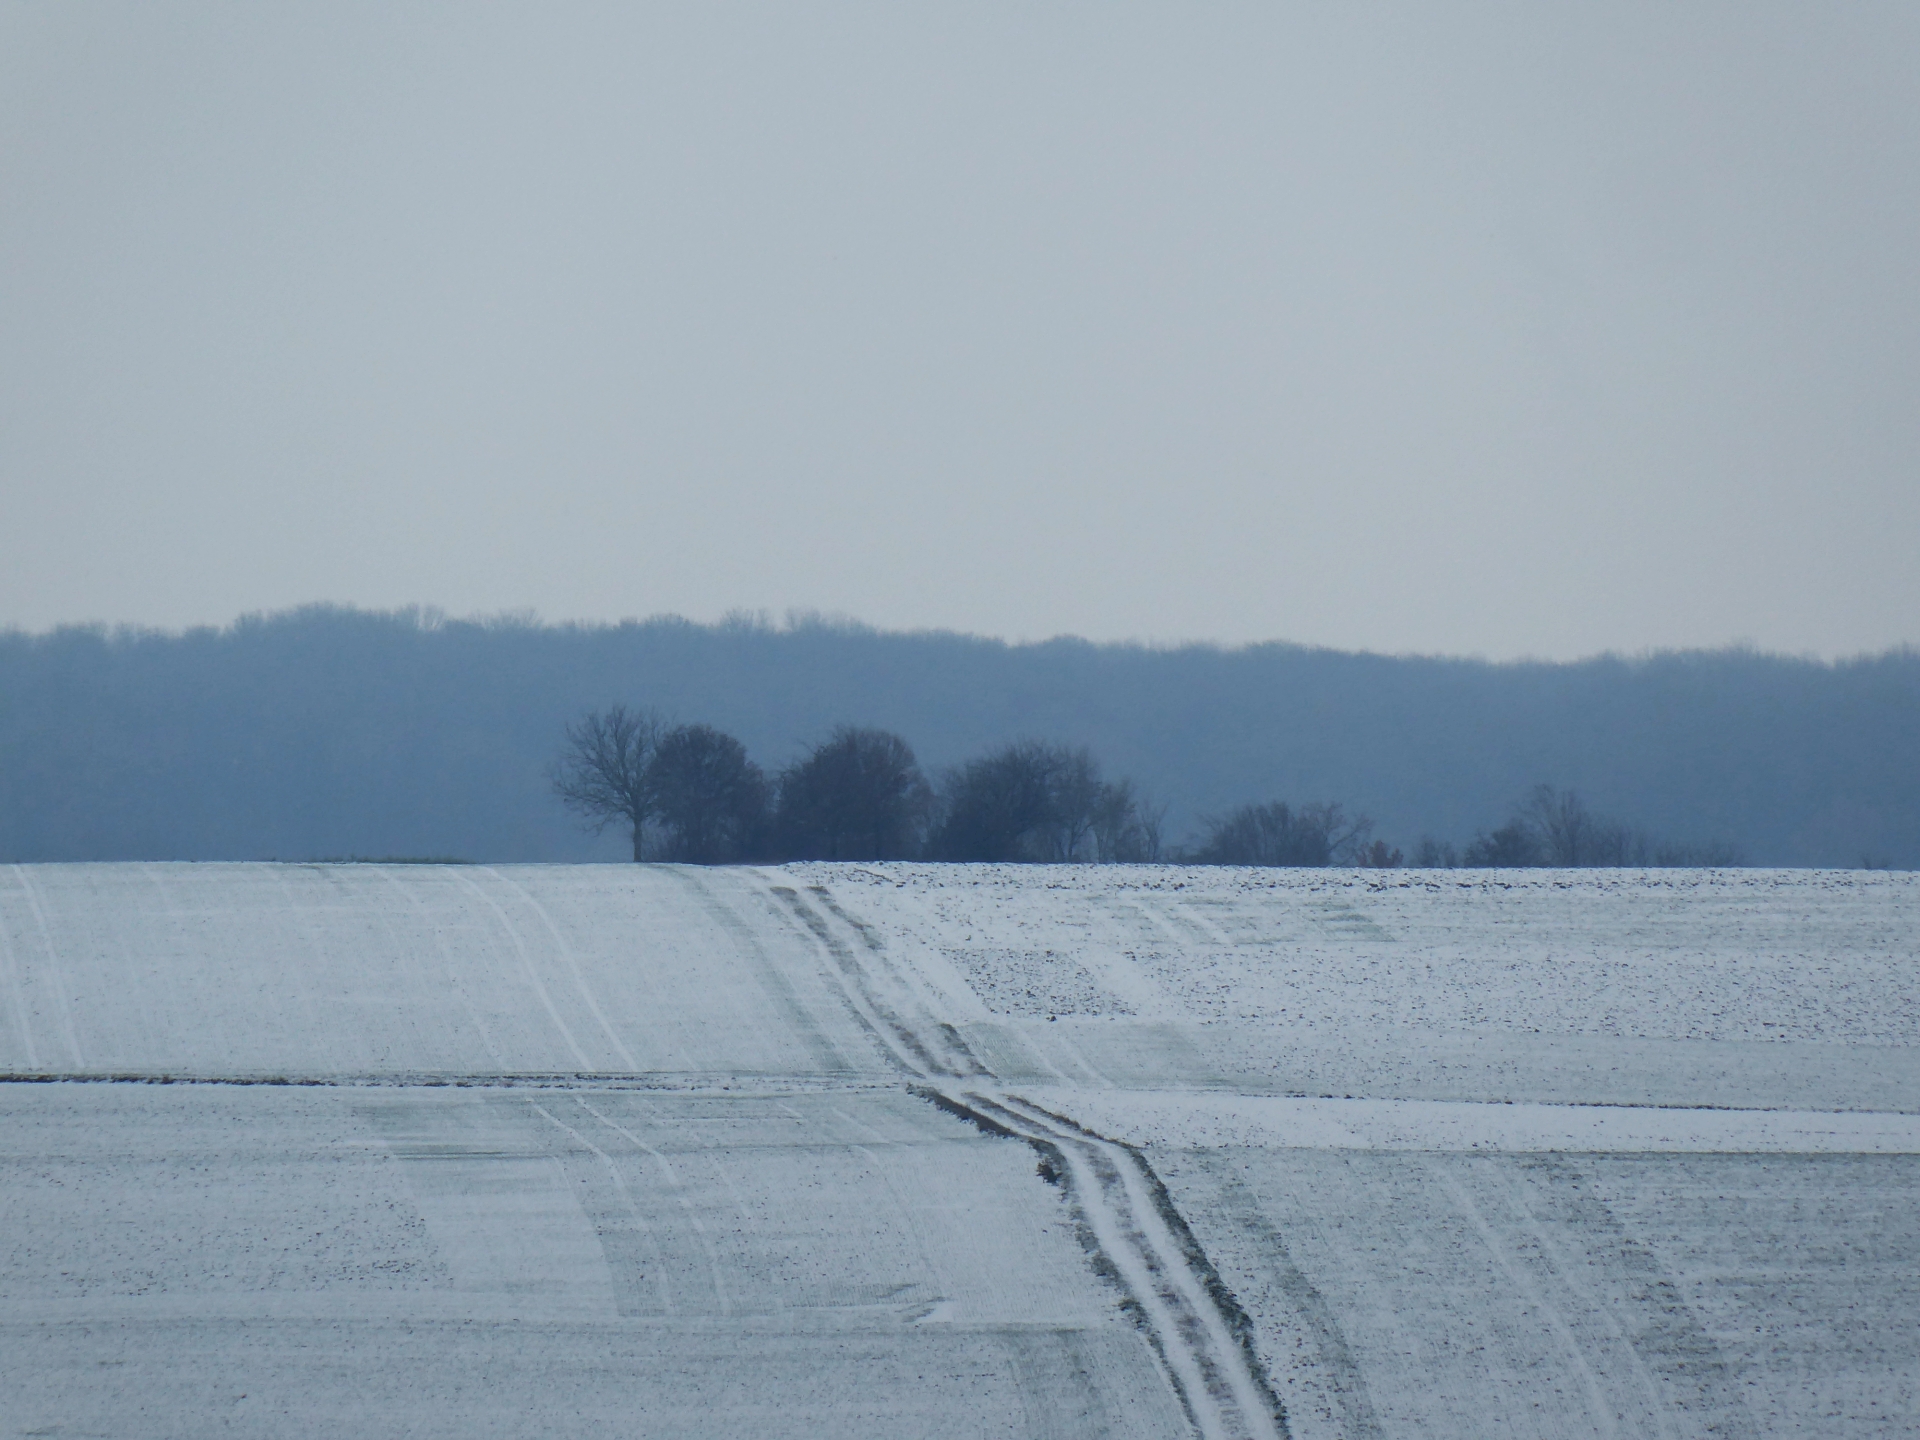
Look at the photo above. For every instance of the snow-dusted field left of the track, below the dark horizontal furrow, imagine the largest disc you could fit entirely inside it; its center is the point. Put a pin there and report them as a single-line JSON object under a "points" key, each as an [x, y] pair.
{"points": [[439, 1260]]}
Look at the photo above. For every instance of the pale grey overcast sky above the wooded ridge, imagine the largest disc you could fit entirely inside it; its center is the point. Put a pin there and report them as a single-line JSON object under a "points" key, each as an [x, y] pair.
{"points": [[1472, 329]]}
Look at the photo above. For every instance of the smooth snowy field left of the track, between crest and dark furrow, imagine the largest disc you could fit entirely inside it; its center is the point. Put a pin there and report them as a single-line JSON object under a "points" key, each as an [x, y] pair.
{"points": [[429, 971]]}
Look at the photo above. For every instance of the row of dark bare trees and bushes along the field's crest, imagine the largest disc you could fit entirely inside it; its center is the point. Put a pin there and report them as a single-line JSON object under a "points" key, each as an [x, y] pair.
{"points": [[692, 794]]}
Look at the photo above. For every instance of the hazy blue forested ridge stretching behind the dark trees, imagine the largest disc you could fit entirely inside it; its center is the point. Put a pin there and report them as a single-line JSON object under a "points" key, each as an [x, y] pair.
{"points": [[352, 732]]}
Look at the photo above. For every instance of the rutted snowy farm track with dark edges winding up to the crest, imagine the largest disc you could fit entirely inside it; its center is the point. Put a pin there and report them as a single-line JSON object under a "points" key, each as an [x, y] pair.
{"points": [[1128, 1220]]}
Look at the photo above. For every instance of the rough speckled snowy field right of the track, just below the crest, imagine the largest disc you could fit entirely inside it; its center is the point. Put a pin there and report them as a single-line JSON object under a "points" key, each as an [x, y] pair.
{"points": [[1681, 955]]}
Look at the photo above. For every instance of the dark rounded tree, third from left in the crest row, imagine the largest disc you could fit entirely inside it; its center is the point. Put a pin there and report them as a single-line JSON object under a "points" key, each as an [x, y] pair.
{"points": [[857, 796]]}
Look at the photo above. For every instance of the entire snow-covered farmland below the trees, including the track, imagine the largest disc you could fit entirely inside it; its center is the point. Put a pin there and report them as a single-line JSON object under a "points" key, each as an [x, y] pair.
{"points": [[957, 1151]]}
